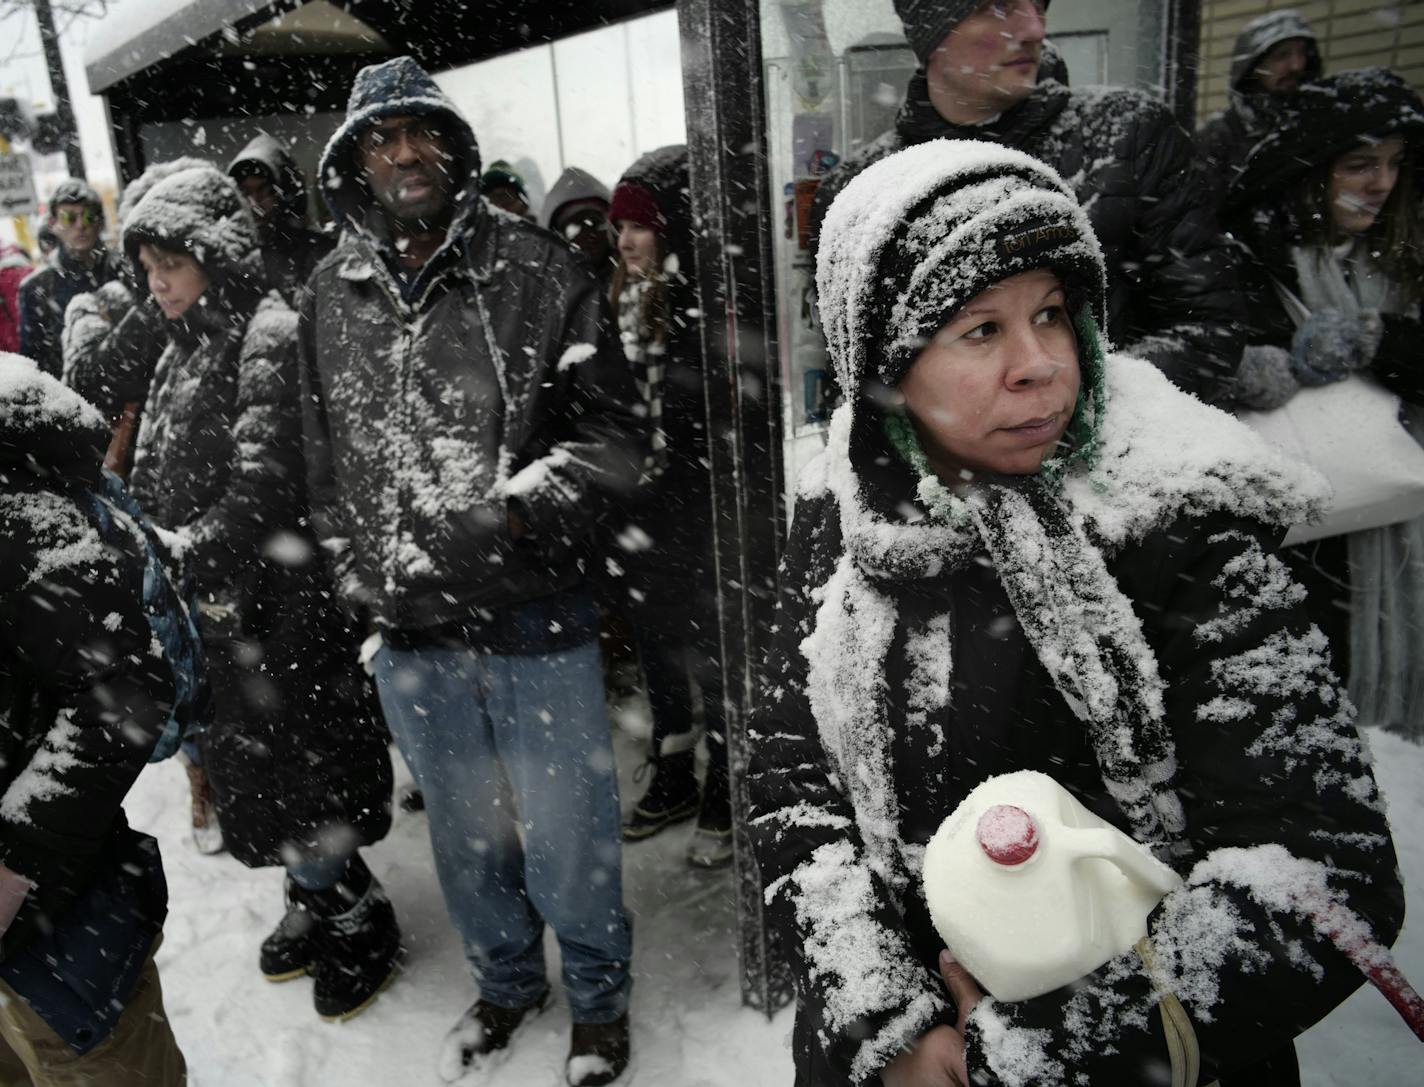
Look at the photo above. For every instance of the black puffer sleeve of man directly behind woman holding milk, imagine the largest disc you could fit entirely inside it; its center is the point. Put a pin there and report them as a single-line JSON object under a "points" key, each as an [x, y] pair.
{"points": [[1191, 324]]}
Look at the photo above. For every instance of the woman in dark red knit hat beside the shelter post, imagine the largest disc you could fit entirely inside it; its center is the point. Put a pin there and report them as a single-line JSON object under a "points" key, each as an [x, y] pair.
{"points": [[667, 589]]}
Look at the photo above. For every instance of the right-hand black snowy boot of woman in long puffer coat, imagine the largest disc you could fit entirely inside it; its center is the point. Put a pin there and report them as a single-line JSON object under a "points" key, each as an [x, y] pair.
{"points": [[360, 942]]}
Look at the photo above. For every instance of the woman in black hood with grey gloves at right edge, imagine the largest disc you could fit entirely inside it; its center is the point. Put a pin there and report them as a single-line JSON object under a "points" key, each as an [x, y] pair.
{"points": [[1329, 210]]}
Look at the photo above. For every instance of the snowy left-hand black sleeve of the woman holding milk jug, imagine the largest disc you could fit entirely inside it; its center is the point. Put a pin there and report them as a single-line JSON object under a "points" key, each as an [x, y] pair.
{"points": [[862, 992]]}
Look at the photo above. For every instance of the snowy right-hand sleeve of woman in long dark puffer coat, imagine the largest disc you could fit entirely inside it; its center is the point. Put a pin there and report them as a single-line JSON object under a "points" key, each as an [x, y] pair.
{"points": [[264, 489]]}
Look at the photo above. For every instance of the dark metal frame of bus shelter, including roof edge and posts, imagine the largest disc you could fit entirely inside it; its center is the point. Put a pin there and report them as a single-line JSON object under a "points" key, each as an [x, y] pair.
{"points": [[201, 51]]}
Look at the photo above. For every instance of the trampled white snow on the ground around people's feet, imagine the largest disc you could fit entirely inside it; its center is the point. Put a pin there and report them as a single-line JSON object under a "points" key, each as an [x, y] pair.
{"points": [[690, 1029]]}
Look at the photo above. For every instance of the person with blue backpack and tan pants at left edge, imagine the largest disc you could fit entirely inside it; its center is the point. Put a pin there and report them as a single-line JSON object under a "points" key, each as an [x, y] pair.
{"points": [[102, 670]]}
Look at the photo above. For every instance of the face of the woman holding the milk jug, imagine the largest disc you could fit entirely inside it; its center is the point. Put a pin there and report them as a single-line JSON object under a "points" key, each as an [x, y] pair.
{"points": [[998, 387]]}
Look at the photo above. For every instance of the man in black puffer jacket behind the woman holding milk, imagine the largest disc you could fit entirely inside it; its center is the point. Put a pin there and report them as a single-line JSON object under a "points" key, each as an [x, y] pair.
{"points": [[1171, 274]]}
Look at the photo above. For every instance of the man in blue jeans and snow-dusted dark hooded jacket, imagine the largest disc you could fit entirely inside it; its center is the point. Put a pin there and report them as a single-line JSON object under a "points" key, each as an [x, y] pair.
{"points": [[469, 422]]}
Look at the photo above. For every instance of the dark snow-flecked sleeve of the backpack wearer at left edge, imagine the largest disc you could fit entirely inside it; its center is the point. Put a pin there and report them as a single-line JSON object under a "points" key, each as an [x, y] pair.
{"points": [[88, 689]]}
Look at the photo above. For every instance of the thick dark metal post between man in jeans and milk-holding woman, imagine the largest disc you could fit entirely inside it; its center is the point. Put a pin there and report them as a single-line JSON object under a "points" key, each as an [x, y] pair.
{"points": [[727, 153]]}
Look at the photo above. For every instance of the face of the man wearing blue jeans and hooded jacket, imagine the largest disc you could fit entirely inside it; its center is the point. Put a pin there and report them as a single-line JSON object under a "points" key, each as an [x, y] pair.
{"points": [[408, 165]]}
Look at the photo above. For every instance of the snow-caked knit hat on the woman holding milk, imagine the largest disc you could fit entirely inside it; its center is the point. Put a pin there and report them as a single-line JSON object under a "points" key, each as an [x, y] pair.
{"points": [[919, 234]]}
